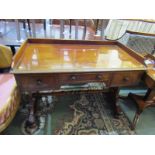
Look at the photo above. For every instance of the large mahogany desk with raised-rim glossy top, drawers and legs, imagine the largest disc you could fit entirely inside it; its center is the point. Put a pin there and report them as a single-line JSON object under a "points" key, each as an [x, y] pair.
{"points": [[46, 64]]}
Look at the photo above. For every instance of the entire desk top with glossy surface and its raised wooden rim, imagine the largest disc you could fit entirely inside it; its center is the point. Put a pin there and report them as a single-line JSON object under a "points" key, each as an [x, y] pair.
{"points": [[52, 56]]}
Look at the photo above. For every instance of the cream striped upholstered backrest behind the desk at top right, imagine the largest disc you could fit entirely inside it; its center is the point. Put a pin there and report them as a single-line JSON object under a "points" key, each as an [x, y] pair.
{"points": [[117, 27]]}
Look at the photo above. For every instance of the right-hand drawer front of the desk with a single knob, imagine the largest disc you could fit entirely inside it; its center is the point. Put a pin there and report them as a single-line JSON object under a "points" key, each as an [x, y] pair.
{"points": [[125, 78]]}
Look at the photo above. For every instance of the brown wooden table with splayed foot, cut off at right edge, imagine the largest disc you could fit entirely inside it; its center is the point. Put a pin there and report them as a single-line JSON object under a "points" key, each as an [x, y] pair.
{"points": [[143, 102]]}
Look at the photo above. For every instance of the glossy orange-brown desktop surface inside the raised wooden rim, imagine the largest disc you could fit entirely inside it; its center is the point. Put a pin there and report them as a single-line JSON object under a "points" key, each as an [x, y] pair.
{"points": [[72, 58]]}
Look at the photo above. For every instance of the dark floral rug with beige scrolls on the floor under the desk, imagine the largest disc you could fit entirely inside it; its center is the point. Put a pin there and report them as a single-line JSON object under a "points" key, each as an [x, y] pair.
{"points": [[91, 115]]}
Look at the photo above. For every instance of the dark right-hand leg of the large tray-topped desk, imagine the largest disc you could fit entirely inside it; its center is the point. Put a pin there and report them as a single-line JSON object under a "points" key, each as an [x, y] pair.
{"points": [[114, 96]]}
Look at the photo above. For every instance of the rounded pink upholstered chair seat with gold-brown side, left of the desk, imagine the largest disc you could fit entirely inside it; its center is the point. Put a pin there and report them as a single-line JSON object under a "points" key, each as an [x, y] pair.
{"points": [[9, 99]]}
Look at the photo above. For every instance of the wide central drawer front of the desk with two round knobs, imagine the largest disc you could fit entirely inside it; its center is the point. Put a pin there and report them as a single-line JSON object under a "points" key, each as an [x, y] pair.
{"points": [[83, 78]]}
